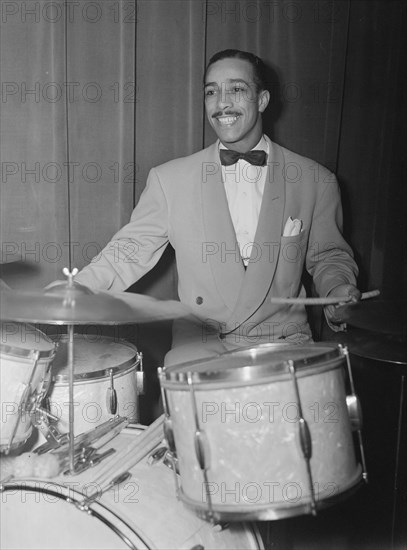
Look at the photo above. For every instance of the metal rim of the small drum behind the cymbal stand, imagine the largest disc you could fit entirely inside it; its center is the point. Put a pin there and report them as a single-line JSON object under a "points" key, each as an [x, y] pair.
{"points": [[101, 374]]}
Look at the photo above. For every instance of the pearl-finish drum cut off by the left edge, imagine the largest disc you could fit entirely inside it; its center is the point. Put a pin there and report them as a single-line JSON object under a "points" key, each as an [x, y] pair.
{"points": [[25, 357]]}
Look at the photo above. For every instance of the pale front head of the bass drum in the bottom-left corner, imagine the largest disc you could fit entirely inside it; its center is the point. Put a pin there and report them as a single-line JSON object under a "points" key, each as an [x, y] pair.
{"points": [[61, 523]]}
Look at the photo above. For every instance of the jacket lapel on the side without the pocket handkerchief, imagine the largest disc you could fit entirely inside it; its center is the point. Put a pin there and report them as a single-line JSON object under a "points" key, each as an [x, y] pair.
{"points": [[221, 244]]}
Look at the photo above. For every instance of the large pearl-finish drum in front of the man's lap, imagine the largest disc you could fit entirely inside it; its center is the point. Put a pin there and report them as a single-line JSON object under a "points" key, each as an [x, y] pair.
{"points": [[239, 424]]}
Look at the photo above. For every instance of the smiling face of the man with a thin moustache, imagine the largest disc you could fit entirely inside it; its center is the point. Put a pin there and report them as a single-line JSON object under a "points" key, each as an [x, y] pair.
{"points": [[233, 106]]}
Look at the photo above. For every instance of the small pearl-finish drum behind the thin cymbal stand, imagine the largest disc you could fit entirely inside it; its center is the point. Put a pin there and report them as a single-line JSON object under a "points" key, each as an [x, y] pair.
{"points": [[105, 382]]}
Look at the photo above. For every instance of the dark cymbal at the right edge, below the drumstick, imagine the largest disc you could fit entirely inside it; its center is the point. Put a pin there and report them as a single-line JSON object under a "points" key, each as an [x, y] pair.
{"points": [[377, 347]]}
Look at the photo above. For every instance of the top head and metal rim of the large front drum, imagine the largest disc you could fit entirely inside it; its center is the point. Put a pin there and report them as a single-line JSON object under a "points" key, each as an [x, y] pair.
{"points": [[254, 364]]}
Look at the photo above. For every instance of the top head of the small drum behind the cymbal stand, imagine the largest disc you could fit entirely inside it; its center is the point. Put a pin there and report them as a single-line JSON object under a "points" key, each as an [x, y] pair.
{"points": [[94, 357]]}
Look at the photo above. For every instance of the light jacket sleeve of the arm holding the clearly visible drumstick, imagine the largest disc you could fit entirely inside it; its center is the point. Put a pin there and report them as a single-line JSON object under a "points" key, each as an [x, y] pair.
{"points": [[329, 258]]}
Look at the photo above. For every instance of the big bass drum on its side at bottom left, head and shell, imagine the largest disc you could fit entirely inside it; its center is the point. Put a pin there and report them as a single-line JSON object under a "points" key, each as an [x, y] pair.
{"points": [[141, 513]]}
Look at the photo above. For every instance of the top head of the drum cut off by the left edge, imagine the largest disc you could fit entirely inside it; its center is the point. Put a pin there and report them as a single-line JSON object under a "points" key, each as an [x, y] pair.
{"points": [[20, 340]]}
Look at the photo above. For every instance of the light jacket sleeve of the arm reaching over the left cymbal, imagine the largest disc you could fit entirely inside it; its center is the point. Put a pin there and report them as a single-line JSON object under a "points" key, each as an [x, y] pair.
{"points": [[134, 249]]}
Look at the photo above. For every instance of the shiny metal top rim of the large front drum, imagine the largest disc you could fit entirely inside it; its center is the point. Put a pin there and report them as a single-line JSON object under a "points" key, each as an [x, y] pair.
{"points": [[171, 376]]}
